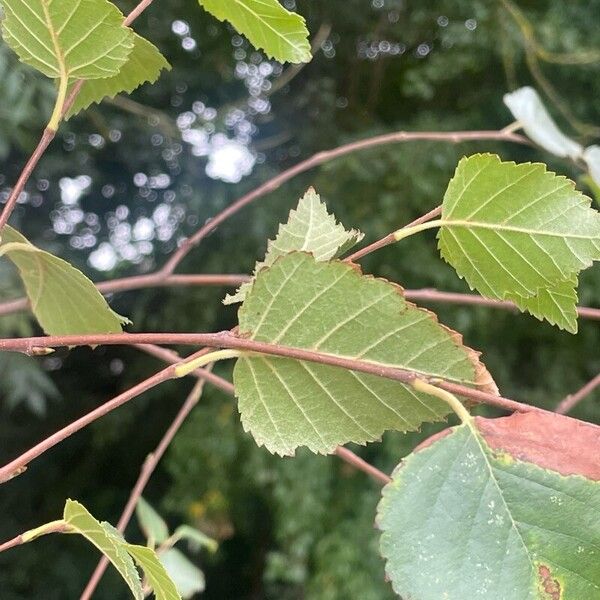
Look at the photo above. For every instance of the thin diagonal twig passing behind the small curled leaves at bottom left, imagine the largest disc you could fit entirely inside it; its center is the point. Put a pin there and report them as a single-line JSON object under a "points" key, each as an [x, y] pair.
{"points": [[147, 469]]}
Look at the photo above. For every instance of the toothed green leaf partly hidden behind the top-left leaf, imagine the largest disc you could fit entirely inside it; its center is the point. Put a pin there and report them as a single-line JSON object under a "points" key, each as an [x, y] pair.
{"points": [[144, 65]]}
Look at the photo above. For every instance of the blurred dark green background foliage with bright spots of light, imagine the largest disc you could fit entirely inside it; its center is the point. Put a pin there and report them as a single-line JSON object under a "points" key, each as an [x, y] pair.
{"points": [[124, 182]]}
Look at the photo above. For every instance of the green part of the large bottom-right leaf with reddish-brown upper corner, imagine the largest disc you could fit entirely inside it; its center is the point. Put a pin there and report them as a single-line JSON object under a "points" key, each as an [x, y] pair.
{"points": [[461, 520]]}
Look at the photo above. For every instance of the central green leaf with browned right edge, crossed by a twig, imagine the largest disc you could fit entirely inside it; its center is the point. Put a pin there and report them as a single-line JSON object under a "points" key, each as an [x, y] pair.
{"points": [[331, 308]]}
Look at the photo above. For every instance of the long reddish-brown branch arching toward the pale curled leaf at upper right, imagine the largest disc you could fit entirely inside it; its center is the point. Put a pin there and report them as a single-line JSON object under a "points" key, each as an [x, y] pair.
{"points": [[323, 157]]}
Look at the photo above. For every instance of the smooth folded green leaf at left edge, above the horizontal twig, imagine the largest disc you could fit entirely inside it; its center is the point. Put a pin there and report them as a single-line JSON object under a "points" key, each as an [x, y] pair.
{"points": [[62, 298]]}
